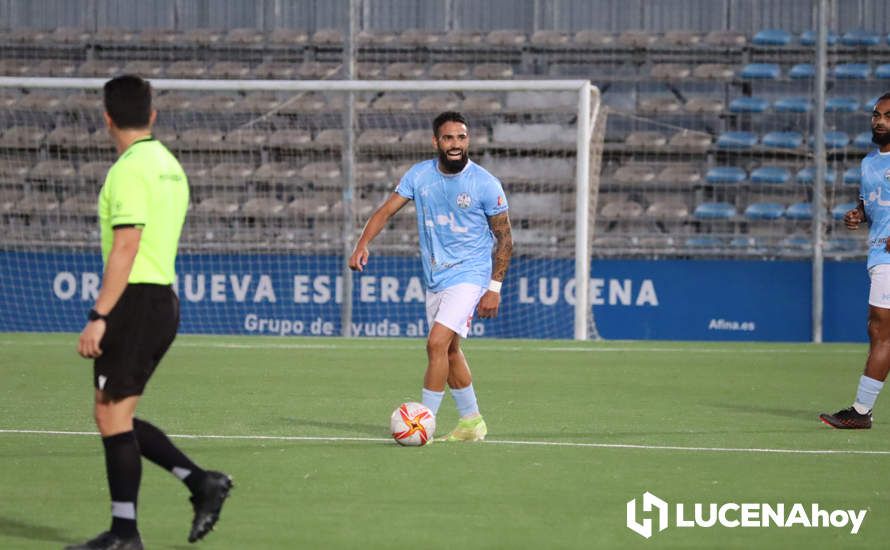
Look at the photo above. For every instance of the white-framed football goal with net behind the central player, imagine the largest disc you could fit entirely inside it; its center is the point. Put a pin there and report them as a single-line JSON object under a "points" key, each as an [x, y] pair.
{"points": [[280, 188]]}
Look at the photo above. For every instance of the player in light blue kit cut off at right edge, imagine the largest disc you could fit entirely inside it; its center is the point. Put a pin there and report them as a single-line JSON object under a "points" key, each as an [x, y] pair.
{"points": [[874, 208]]}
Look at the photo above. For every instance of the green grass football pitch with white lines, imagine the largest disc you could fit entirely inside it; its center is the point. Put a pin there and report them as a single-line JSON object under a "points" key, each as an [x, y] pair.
{"points": [[688, 422]]}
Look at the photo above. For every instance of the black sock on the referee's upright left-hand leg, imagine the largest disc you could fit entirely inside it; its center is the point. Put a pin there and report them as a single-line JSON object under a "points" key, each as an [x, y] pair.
{"points": [[124, 468]]}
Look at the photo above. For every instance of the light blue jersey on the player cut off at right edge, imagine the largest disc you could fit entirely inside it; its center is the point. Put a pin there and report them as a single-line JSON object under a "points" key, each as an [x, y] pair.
{"points": [[874, 190]]}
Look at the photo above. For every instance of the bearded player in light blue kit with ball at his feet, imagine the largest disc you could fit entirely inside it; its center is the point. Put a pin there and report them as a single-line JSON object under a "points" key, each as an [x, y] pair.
{"points": [[465, 249]]}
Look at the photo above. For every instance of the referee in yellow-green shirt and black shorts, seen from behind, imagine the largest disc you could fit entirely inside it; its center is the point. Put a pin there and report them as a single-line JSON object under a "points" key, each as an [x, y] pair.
{"points": [[142, 208]]}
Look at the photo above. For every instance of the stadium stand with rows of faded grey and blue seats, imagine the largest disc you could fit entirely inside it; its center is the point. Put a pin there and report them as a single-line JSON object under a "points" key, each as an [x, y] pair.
{"points": [[705, 120]]}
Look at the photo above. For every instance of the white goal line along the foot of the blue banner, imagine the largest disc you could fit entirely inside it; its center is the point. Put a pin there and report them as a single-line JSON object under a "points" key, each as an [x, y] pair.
{"points": [[495, 348]]}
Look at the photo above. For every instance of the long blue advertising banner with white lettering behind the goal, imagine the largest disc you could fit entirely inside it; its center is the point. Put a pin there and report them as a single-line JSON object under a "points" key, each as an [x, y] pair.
{"points": [[302, 295]]}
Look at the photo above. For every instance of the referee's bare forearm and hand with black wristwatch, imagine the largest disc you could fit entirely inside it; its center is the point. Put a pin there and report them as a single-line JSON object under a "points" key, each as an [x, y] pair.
{"points": [[117, 271]]}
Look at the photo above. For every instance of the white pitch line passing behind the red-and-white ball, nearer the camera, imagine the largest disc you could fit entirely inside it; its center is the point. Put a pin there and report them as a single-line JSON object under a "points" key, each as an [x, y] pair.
{"points": [[680, 448]]}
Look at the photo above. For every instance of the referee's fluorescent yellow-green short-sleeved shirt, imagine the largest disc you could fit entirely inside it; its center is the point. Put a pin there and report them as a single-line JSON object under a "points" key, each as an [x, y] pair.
{"points": [[146, 188]]}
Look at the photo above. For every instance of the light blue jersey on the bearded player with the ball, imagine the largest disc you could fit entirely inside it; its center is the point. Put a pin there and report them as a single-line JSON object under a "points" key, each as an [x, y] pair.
{"points": [[452, 221]]}
